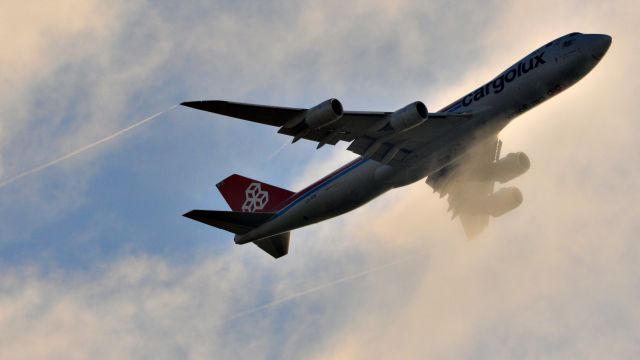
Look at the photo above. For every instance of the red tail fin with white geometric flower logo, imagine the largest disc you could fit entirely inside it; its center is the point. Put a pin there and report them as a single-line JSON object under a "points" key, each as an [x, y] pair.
{"points": [[248, 195]]}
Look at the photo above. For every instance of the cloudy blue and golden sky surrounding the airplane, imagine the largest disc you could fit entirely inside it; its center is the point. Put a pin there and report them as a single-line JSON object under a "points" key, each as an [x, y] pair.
{"points": [[96, 261]]}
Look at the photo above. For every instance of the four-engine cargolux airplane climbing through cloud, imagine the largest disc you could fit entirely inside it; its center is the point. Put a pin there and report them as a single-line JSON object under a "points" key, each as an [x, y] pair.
{"points": [[456, 149]]}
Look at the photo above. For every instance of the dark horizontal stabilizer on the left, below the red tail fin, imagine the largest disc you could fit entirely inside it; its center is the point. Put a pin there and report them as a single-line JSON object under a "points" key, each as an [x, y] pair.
{"points": [[232, 221]]}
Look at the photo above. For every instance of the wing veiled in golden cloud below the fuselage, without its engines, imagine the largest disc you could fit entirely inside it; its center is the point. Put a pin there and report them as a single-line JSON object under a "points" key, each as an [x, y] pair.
{"points": [[467, 188]]}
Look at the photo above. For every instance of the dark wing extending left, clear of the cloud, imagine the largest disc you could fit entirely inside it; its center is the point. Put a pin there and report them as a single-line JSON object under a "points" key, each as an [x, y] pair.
{"points": [[368, 131]]}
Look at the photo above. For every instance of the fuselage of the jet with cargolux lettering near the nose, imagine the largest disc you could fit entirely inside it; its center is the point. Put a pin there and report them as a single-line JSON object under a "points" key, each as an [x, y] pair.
{"points": [[534, 79]]}
